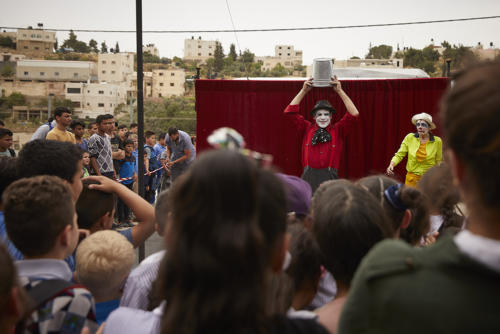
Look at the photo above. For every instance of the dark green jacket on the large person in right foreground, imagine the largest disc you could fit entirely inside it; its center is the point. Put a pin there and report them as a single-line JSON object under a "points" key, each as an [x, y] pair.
{"points": [[400, 289]]}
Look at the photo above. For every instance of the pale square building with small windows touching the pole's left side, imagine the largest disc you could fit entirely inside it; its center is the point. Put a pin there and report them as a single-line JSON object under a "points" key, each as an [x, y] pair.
{"points": [[114, 67]]}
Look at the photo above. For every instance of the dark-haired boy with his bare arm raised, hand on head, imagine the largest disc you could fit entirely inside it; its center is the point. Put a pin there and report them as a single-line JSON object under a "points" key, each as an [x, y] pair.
{"points": [[96, 207]]}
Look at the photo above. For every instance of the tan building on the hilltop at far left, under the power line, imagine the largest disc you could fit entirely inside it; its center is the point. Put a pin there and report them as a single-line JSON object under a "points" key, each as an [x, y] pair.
{"points": [[35, 40]]}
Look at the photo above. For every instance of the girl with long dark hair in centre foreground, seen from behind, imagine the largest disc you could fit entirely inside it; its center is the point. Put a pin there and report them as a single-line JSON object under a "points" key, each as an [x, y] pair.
{"points": [[225, 240]]}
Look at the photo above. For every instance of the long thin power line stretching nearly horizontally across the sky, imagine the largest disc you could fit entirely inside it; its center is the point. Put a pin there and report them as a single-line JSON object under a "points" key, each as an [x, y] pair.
{"points": [[276, 29]]}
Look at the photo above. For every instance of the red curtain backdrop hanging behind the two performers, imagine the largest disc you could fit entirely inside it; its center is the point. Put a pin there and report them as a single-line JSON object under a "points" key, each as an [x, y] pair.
{"points": [[255, 109]]}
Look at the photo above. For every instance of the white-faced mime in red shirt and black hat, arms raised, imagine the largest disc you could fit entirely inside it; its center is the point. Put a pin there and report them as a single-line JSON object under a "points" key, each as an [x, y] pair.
{"points": [[323, 141]]}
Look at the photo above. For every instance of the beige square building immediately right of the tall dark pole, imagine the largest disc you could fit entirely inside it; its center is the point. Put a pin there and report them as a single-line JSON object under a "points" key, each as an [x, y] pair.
{"points": [[168, 83]]}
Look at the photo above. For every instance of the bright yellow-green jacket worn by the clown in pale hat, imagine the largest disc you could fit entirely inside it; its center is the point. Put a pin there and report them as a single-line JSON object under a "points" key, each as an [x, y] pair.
{"points": [[410, 145]]}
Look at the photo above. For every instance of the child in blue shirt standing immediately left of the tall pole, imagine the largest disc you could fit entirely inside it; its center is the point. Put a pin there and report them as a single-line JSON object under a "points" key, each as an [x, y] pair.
{"points": [[127, 172]]}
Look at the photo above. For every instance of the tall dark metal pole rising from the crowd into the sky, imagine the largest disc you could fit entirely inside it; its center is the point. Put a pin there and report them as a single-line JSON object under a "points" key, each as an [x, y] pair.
{"points": [[140, 107]]}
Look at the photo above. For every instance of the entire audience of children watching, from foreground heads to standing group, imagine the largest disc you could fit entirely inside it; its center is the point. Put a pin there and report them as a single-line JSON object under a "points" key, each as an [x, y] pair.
{"points": [[249, 250]]}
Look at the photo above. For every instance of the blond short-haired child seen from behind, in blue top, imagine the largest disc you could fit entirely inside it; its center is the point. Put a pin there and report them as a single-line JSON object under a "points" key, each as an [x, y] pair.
{"points": [[103, 262]]}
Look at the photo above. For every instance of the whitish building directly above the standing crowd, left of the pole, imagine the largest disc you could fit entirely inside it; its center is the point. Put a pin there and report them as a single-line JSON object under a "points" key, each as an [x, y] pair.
{"points": [[93, 99]]}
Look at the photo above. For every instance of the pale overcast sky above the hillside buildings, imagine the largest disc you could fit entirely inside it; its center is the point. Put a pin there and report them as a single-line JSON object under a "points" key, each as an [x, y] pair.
{"points": [[248, 14]]}
